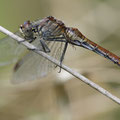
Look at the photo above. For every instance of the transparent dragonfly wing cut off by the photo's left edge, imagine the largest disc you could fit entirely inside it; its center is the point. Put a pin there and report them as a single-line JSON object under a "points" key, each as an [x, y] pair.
{"points": [[10, 50]]}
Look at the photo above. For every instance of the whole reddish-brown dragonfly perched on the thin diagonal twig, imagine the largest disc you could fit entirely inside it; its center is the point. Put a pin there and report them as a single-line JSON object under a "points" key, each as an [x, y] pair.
{"points": [[51, 36]]}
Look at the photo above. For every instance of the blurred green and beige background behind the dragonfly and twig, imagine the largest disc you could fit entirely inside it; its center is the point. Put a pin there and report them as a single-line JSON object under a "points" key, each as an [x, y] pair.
{"points": [[60, 96]]}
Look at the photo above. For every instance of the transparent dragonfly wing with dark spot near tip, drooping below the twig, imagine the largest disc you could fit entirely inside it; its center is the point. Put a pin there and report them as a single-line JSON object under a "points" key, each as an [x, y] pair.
{"points": [[33, 66]]}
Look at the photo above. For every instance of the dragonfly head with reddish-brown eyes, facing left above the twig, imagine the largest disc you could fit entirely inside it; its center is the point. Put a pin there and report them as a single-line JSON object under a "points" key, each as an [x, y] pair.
{"points": [[26, 30]]}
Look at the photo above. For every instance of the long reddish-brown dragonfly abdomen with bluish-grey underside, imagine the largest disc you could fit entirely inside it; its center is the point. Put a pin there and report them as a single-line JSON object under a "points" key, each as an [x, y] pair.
{"points": [[75, 37]]}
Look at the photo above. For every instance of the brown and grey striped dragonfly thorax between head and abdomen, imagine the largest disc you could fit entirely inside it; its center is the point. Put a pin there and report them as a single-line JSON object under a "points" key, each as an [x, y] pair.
{"points": [[51, 27]]}
